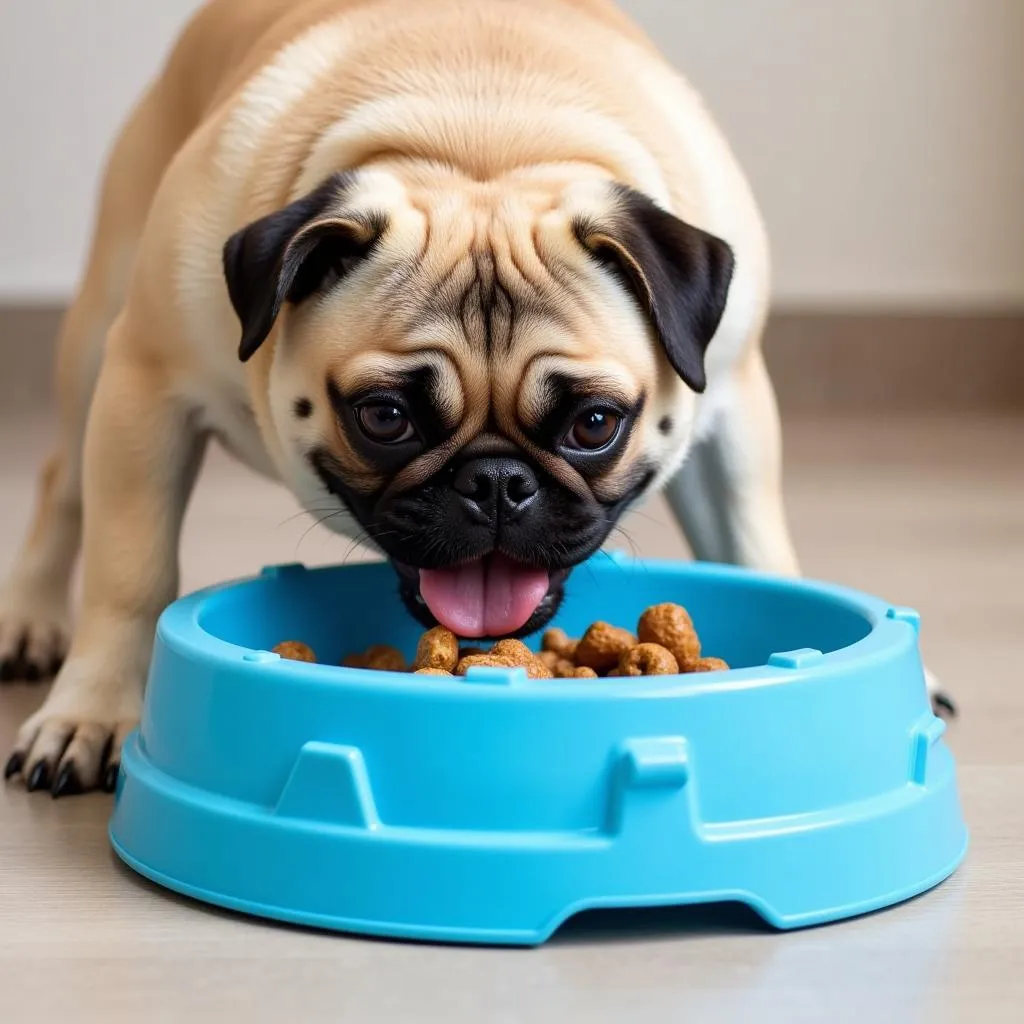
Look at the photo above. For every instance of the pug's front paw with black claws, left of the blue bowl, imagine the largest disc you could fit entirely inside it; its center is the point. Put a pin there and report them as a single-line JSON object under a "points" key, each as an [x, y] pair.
{"points": [[73, 743]]}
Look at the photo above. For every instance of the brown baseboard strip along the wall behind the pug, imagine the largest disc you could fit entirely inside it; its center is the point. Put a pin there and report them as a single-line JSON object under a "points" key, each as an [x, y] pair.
{"points": [[824, 363]]}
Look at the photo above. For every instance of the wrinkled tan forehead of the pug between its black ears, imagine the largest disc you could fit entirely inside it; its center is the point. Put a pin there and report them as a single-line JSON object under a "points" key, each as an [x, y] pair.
{"points": [[492, 307]]}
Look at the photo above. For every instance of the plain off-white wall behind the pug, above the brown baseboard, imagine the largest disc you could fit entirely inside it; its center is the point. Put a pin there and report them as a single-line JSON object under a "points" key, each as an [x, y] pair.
{"points": [[885, 139]]}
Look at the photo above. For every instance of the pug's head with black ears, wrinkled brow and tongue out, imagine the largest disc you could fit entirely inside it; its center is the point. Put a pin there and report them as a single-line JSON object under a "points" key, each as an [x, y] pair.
{"points": [[484, 375]]}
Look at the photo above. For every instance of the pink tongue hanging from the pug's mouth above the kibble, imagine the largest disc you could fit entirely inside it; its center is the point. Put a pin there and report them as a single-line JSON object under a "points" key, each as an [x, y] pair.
{"points": [[488, 599]]}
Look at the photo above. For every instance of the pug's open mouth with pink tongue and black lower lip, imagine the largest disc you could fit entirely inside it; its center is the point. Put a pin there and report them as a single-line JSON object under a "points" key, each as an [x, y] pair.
{"points": [[493, 596]]}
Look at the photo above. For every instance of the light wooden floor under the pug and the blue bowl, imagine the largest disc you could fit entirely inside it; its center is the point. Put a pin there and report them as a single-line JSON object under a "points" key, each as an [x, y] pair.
{"points": [[928, 514]]}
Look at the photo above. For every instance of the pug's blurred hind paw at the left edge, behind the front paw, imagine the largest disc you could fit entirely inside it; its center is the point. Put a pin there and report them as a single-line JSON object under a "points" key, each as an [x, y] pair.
{"points": [[34, 636]]}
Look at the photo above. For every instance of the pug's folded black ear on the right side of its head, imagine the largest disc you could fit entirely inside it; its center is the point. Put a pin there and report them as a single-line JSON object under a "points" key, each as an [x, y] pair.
{"points": [[678, 274]]}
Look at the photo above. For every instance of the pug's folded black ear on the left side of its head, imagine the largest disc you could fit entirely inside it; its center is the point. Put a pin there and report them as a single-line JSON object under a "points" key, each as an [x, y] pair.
{"points": [[290, 254]]}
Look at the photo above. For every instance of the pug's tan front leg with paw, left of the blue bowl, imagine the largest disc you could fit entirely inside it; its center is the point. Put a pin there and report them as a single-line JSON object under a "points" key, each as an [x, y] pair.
{"points": [[142, 455]]}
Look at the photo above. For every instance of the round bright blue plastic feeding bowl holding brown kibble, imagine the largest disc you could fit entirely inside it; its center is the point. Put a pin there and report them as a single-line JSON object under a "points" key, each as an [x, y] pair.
{"points": [[810, 783]]}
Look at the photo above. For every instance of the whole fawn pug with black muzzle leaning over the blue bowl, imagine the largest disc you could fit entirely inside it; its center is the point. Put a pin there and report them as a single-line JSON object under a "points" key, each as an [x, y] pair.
{"points": [[477, 275]]}
